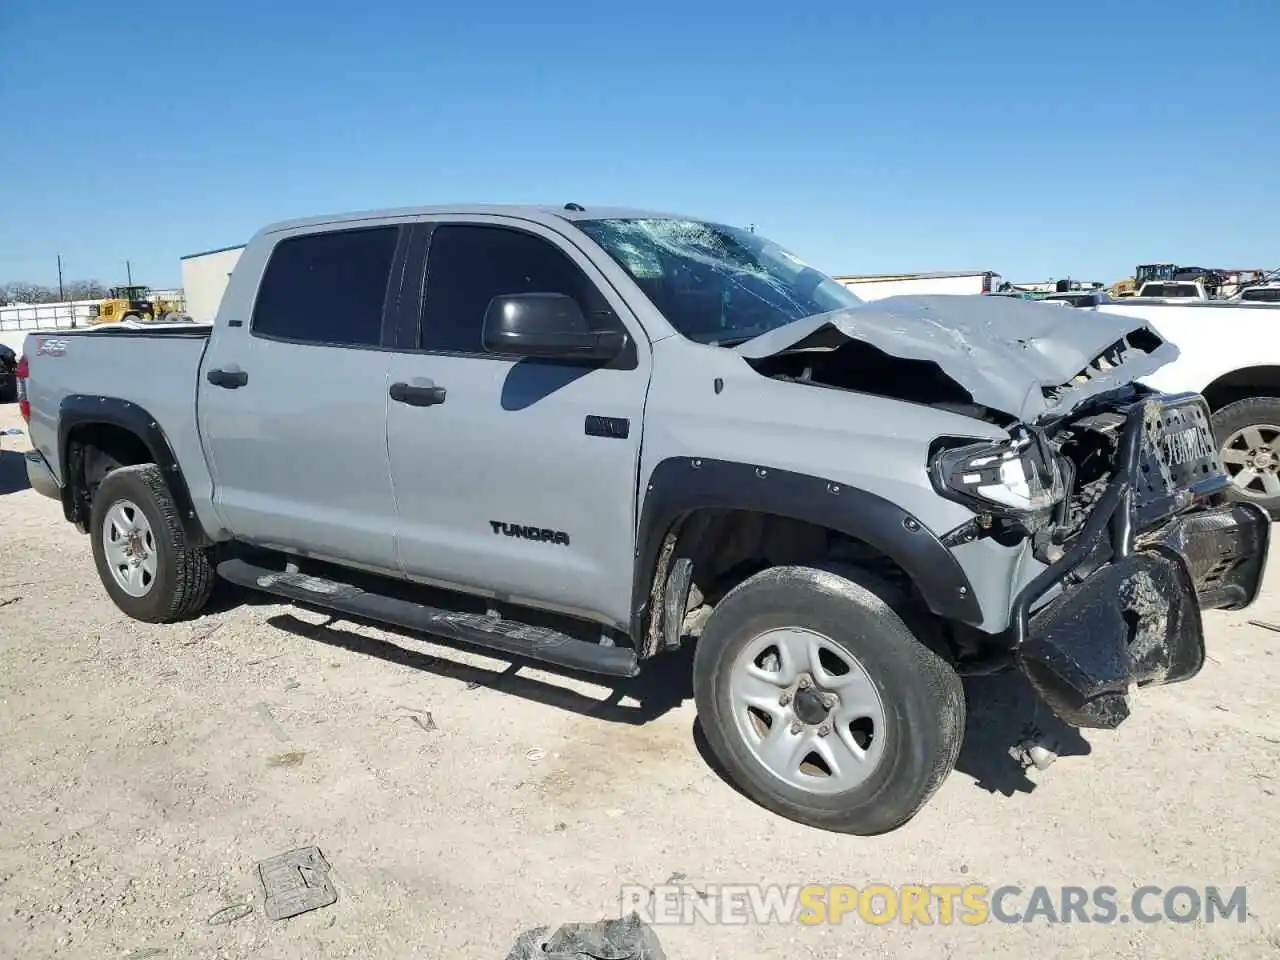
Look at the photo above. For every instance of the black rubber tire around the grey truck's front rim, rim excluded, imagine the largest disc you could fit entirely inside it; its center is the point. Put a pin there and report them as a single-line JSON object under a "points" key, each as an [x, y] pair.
{"points": [[922, 696]]}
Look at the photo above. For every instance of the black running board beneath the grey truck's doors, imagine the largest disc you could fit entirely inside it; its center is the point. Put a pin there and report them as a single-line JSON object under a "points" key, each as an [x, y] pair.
{"points": [[509, 637]]}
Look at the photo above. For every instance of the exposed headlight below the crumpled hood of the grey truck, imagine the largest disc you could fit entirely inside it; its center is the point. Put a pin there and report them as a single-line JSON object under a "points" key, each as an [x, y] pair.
{"points": [[1012, 477]]}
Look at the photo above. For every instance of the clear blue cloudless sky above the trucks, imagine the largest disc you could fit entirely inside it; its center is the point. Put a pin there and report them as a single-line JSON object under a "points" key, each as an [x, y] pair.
{"points": [[1031, 139]]}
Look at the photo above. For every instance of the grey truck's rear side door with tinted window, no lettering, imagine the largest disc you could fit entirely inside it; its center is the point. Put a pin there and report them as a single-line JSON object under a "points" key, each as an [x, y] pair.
{"points": [[294, 400]]}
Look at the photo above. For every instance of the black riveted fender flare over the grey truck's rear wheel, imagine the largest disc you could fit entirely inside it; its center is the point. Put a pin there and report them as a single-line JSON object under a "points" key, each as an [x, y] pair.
{"points": [[85, 410]]}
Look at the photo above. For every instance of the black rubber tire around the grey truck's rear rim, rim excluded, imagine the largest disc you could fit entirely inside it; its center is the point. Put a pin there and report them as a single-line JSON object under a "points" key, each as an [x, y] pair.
{"points": [[185, 575]]}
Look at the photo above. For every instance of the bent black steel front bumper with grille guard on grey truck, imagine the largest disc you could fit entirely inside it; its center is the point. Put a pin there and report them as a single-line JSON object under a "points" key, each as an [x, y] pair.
{"points": [[1160, 547]]}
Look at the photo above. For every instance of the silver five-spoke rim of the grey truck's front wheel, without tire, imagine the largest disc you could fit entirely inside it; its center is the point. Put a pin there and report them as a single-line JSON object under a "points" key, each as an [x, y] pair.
{"points": [[808, 711]]}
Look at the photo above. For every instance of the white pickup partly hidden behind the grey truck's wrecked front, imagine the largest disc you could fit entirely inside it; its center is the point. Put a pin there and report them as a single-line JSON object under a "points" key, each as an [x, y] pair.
{"points": [[1231, 354]]}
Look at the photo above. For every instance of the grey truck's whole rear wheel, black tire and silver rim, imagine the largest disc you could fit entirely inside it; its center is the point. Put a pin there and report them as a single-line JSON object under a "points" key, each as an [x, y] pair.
{"points": [[141, 550]]}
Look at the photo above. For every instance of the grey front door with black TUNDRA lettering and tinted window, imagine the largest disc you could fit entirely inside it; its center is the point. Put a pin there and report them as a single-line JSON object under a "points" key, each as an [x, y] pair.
{"points": [[508, 482]]}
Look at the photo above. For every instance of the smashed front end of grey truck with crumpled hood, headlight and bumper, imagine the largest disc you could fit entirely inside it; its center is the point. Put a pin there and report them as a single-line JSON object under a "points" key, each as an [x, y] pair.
{"points": [[1116, 492]]}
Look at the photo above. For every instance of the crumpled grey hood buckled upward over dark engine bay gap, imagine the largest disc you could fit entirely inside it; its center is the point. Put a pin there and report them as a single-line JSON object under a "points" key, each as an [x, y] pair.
{"points": [[1000, 359]]}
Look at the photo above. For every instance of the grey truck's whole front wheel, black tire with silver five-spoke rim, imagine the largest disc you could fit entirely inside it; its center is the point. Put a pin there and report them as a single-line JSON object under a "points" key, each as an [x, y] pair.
{"points": [[822, 705]]}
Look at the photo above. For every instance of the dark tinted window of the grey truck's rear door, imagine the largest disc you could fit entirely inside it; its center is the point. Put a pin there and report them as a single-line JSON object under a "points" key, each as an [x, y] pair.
{"points": [[327, 287]]}
